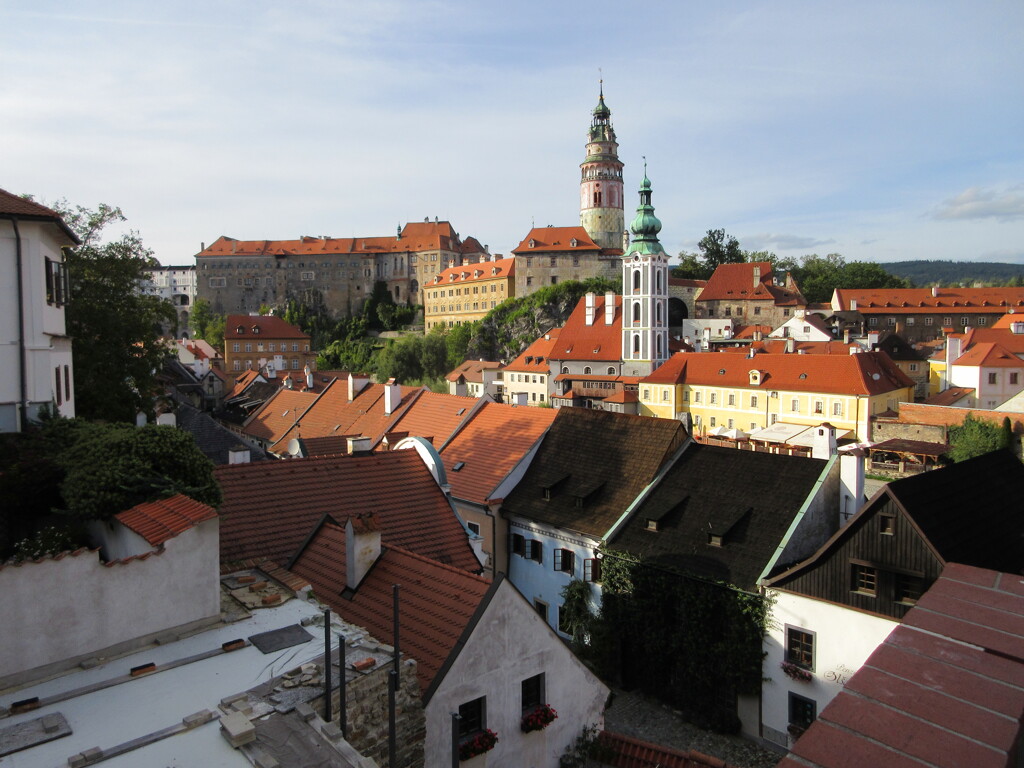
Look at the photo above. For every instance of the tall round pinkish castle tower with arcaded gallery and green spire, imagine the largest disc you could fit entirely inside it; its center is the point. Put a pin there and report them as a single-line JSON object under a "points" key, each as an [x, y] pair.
{"points": [[602, 183]]}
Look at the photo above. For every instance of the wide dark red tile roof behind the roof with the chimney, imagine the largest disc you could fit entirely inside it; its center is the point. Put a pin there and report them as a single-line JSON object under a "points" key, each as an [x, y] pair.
{"points": [[271, 507]]}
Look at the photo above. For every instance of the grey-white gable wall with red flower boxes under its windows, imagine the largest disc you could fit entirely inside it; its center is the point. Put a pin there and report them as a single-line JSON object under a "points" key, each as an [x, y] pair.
{"points": [[509, 646]]}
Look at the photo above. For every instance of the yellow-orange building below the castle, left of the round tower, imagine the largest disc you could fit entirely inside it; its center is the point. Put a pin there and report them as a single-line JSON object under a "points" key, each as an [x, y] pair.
{"points": [[465, 294]]}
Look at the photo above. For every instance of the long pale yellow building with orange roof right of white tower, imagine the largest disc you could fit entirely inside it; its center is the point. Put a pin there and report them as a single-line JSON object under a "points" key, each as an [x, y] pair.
{"points": [[745, 394]]}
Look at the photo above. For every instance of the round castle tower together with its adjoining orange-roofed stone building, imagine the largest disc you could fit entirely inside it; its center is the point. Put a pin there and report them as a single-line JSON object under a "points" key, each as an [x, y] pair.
{"points": [[551, 254]]}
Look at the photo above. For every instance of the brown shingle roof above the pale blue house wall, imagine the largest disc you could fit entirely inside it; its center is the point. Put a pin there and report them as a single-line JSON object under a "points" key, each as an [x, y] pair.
{"points": [[607, 458]]}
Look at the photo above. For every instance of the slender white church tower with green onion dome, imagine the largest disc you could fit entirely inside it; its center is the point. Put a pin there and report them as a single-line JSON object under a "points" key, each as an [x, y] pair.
{"points": [[646, 292]]}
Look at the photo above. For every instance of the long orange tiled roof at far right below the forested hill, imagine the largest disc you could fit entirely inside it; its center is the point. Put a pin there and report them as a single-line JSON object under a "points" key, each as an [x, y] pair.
{"points": [[917, 301]]}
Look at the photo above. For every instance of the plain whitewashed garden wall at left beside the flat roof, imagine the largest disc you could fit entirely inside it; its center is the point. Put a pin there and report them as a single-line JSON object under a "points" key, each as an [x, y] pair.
{"points": [[76, 607]]}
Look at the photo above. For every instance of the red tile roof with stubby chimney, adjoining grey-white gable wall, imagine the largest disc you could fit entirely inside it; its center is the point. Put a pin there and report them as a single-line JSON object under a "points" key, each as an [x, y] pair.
{"points": [[437, 602]]}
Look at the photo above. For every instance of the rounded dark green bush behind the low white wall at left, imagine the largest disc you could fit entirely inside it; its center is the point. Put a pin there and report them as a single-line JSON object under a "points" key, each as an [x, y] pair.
{"points": [[113, 467]]}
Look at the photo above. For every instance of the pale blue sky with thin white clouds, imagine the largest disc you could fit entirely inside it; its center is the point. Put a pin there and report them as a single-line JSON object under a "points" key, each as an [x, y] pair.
{"points": [[883, 132]]}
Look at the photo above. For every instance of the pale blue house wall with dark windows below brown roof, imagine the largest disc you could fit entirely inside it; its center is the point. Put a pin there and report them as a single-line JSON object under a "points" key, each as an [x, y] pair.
{"points": [[540, 581]]}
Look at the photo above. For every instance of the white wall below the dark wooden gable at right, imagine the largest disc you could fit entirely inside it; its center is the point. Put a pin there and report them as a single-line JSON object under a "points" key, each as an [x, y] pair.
{"points": [[844, 638]]}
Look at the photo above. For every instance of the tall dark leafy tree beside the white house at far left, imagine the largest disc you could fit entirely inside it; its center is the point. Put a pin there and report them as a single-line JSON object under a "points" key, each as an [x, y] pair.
{"points": [[117, 350]]}
